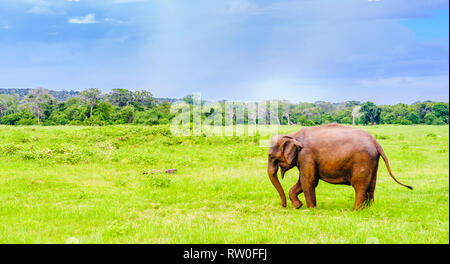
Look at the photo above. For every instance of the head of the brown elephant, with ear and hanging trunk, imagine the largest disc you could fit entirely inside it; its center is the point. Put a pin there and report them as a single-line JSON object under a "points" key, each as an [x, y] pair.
{"points": [[283, 153]]}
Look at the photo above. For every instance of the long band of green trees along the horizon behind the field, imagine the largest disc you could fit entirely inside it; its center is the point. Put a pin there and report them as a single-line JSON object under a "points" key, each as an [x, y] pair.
{"points": [[121, 106]]}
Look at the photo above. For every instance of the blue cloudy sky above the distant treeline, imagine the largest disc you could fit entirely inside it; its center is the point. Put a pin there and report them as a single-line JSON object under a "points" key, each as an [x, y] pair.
{"points": [[300, 50]]}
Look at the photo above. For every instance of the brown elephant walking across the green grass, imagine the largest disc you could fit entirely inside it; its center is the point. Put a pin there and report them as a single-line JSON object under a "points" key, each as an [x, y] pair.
{"points": [[332, 153]]}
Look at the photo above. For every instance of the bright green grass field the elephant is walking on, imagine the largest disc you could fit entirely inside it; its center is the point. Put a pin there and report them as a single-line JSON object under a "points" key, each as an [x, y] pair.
{"points": [[85, 184]]}
